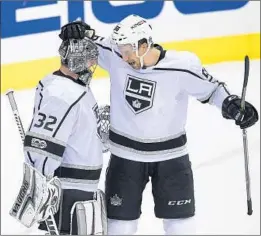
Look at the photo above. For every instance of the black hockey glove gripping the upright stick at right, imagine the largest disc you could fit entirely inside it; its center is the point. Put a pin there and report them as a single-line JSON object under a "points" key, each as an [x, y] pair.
{"points": [[231, 110]]}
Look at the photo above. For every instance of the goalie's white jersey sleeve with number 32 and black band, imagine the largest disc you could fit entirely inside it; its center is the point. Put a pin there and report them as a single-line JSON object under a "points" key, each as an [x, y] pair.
{"points": [[52, 124]]}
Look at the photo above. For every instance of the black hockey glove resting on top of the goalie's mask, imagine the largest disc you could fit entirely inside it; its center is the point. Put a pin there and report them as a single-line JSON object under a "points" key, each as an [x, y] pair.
{"points": [[76, 30]]}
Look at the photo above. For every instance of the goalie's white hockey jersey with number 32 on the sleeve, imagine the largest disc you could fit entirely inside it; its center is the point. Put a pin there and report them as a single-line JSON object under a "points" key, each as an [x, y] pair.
{"points": [[63, 136]]}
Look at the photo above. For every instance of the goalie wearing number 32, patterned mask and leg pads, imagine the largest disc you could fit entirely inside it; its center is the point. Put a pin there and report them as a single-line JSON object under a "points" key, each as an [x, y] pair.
{"points": [[63, 149]]}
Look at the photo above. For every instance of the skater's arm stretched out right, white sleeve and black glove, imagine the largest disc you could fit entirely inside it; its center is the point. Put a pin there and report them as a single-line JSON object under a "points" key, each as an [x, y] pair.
{"points": [[207, 89]]}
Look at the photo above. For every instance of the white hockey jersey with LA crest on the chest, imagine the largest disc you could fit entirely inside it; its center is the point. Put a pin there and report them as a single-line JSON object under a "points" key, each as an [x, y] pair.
{"points": [[149, 106]]}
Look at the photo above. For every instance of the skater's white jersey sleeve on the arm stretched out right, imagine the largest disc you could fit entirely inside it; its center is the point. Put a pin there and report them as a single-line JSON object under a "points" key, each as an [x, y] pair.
{"points": [[200, 84]]}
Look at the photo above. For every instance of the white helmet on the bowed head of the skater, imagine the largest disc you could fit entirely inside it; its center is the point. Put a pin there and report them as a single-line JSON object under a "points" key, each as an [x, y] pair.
{"points": [[129, 32]]}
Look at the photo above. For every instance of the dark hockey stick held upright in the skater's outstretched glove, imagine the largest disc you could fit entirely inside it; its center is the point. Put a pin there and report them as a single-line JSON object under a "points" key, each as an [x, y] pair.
{"points": [[244, 132]]}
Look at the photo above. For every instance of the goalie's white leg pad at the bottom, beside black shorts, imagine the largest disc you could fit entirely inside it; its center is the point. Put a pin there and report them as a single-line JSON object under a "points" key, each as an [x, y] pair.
{"points": [[91, 216]]}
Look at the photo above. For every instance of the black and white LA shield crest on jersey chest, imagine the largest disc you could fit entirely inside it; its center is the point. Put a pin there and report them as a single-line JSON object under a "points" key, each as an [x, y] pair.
{"points": [[139, 93]]}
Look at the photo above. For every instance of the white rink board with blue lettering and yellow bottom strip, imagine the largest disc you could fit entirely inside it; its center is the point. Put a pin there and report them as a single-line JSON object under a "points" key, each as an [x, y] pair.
{"points": [[217, 31]]}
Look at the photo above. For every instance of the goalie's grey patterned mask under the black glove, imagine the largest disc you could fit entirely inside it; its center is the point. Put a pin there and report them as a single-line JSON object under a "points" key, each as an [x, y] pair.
{"points": [[80, 56]]}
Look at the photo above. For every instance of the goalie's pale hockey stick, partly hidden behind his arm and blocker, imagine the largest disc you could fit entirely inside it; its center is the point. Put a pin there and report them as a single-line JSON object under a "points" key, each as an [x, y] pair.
{"points": [[50, 222]]}
